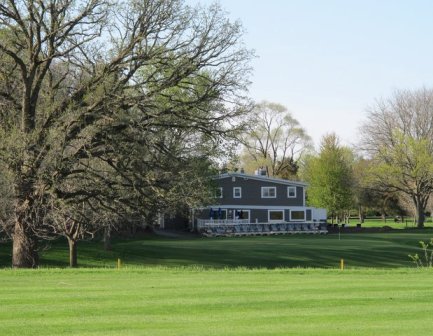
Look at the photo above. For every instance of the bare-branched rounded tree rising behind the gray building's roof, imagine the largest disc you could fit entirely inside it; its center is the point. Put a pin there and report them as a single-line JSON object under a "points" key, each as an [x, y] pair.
{"points": [[275, 140]]}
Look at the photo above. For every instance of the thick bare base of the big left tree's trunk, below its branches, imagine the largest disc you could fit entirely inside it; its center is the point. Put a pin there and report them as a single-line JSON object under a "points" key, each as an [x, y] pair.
{"points": [[24, 248]]}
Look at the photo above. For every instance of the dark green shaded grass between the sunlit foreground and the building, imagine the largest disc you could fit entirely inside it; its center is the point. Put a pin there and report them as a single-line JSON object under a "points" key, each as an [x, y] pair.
{"points": [[385, 250]]}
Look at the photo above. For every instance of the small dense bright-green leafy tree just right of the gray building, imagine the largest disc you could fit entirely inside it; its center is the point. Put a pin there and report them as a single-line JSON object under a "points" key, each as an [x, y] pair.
{"points": [[330, 177]]}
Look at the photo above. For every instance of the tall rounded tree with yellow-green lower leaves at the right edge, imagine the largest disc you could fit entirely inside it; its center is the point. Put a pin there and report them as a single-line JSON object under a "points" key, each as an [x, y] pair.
{"points": [[398, 136]]}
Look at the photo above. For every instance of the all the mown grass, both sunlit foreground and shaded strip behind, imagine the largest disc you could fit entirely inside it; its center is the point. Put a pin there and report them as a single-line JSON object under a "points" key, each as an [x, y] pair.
{"points": [[224, 286]]}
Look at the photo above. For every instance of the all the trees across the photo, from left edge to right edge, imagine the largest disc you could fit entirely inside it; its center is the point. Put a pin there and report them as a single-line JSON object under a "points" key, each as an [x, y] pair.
{"points": [[111, 111]]}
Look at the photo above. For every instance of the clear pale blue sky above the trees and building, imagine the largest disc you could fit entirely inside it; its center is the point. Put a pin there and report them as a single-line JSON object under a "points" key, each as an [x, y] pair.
{"points": [[327, 61]]}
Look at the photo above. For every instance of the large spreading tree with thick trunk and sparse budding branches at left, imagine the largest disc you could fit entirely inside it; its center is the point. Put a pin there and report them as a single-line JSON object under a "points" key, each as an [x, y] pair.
{"points": [[91, 89]]}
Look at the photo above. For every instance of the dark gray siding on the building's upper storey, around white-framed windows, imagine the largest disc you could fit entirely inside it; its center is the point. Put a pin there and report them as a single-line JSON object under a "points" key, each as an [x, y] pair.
{"points": [[251, 193]]}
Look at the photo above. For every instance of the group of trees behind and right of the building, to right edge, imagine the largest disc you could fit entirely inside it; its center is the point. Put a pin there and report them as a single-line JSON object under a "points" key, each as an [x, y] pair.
{"points": [[390, 169]]}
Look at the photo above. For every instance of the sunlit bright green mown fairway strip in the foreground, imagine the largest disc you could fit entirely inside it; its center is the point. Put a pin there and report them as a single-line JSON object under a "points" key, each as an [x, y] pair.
{"points": [[156, 301]]}
